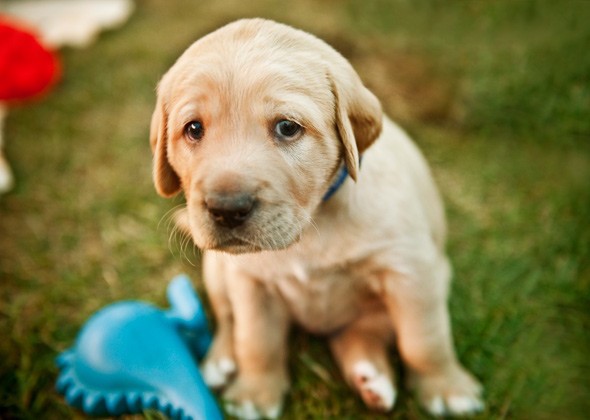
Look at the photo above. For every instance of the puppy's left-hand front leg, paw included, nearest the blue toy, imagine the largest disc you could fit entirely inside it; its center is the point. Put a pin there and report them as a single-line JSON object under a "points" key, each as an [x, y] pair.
{"points": [[261, 324]]}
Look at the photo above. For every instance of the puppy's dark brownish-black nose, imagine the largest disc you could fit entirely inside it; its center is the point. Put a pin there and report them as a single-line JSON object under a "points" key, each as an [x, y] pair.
{"points": [[229, 210]]}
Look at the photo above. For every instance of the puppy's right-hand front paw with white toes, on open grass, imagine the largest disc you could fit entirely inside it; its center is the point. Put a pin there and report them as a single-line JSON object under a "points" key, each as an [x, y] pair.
{"points": [[455, 393]]}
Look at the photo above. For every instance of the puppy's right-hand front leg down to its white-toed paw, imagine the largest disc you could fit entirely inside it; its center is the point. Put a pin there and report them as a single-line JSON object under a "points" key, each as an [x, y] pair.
{"points": [[417, 304]]}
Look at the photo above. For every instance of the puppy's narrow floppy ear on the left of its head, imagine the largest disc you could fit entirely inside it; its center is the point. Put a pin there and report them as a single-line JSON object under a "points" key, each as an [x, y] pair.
{"points": [[165, 178]]}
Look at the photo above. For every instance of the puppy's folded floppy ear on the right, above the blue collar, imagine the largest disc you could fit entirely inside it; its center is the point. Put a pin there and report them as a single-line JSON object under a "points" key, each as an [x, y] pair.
{"points": [[359, 117]]}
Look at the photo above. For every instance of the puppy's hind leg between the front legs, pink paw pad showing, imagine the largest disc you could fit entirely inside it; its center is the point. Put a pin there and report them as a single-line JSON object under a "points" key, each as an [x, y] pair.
{"points": [[361, 352]]}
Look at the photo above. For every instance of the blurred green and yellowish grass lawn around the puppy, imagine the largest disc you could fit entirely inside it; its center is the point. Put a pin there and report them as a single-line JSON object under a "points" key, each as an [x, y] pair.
{"points": [[496, 93]]}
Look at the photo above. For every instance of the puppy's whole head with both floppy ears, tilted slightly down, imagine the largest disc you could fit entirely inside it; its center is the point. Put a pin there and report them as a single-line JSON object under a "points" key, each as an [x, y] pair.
{"points": [[252, 123]]}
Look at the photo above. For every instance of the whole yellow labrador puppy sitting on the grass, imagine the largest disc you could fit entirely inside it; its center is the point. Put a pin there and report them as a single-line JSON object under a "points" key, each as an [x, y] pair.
{"points": [[312, 208]]}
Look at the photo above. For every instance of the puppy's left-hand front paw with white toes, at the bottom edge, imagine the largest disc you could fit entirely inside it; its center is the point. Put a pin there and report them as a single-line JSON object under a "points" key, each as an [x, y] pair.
{"points": [[256, 397]]}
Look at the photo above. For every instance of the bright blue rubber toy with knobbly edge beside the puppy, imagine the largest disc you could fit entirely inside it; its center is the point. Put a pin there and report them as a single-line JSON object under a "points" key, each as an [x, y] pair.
{"points": [[132, 356]]}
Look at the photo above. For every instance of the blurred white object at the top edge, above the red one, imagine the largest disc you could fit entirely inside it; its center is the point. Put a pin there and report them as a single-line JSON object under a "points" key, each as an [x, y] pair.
{"points": [[74, 23]]}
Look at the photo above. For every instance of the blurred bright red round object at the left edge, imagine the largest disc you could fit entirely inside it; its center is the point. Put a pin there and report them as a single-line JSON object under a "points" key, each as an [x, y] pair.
{"points": [[27, 68]]}
